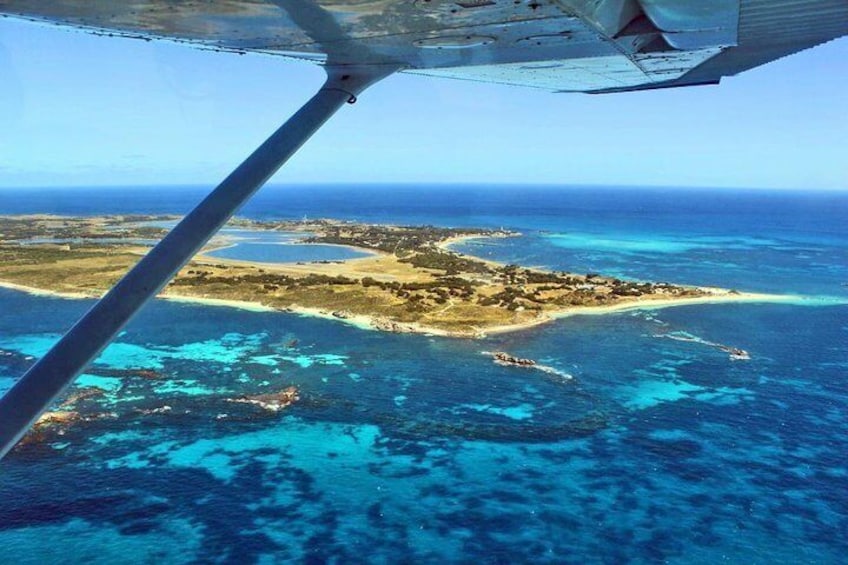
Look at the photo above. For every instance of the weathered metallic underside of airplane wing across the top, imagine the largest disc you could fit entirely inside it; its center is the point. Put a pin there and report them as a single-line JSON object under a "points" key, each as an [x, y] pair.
{"points": [[559, 45]]}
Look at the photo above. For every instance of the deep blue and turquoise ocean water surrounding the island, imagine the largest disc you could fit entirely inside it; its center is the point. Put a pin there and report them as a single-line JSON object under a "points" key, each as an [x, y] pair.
{"points": [[416, 448]]}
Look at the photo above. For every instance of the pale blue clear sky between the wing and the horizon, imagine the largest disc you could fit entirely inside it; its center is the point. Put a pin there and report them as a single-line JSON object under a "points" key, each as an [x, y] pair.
{"points": [[83, 110]]}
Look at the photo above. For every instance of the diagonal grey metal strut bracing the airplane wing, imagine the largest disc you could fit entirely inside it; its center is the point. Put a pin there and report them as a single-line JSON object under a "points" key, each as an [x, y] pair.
{"points": [[45, 381]]}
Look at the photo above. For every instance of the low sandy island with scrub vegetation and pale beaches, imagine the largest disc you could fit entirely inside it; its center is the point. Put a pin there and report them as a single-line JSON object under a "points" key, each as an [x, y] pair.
{"points": [[411, 282]]}
